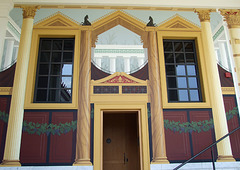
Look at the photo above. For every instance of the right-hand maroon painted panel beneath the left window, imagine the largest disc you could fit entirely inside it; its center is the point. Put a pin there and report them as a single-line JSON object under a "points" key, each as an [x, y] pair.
{"points": [[62, 148]]}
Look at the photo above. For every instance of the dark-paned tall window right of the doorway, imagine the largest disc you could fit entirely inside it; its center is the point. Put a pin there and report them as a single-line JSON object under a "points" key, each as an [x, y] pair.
{"points": [[183, 82]]}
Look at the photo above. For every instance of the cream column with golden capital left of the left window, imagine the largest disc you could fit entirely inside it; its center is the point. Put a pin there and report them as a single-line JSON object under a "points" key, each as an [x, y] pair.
{"points": [[14, 130]]}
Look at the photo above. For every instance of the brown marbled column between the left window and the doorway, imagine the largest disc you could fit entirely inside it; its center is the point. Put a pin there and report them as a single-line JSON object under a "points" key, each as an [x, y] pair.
{"points": [[83, 121]]}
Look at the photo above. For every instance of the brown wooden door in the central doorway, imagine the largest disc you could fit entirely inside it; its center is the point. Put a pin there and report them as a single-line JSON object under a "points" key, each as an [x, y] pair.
{"points": [[120, 141]]}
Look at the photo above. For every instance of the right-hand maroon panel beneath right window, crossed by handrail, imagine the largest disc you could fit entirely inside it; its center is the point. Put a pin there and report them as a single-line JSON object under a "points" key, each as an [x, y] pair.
{"points": [[203, 139]]}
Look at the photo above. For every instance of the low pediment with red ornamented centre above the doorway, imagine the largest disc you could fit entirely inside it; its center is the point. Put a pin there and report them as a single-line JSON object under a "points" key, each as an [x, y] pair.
{"points": [[119, 78]]}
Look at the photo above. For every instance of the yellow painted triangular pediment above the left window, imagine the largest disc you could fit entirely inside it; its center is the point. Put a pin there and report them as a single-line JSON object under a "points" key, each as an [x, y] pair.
{"points": [[57, 21]]}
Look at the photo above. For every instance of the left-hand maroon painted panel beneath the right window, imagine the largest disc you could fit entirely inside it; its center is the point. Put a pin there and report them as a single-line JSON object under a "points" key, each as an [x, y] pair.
{"points": [[177, 145]]}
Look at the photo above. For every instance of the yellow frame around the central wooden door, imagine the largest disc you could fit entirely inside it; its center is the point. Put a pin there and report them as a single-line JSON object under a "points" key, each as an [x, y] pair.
{"points": [[141, 109]]}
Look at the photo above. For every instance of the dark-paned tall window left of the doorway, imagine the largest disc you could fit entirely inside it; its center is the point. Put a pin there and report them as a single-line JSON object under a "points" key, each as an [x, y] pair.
{"points": [[54, 71]]}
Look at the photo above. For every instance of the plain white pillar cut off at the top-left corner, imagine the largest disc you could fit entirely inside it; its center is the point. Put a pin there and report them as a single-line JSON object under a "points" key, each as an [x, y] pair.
{"points": [[5, 7]]}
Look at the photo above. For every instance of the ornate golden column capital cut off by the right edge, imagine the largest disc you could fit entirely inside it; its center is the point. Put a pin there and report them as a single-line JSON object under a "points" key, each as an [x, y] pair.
{"points": [[232, 17]]}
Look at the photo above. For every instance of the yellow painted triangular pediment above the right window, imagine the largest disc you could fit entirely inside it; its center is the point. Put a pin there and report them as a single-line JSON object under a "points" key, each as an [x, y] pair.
{"points": [[178, 23]]}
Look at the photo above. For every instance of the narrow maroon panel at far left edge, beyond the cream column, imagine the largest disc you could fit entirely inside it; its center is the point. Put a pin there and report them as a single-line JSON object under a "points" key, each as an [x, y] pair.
{"points": [[4, 107]]}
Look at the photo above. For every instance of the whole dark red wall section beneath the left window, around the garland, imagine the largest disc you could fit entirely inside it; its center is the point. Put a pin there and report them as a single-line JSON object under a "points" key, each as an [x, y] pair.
{"points": [[48, 149]]}
